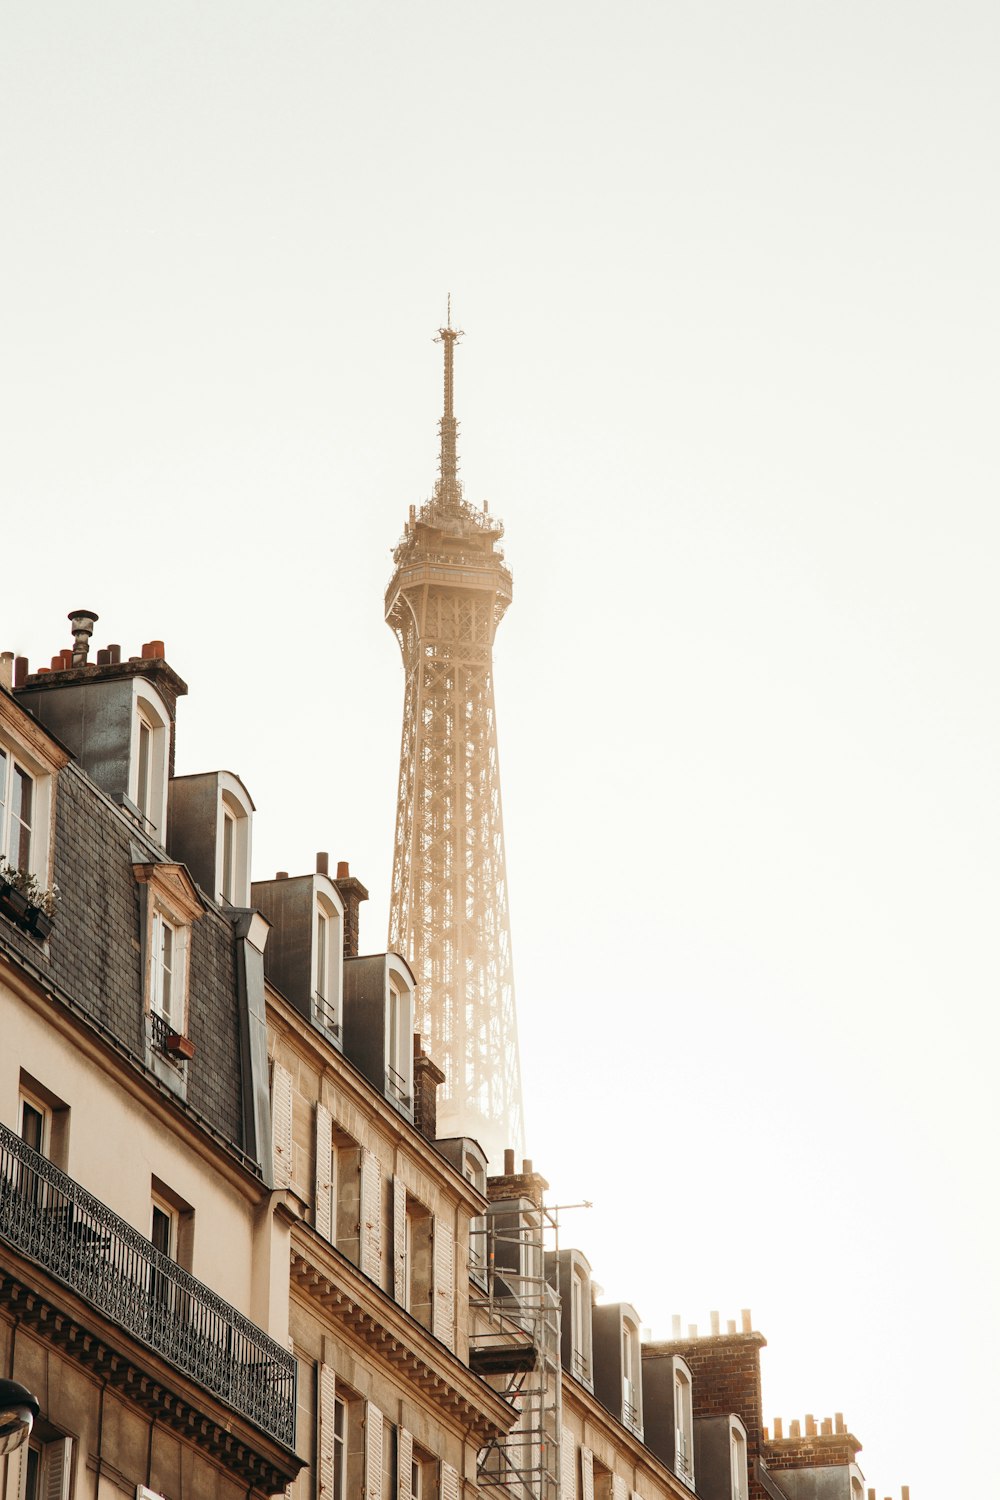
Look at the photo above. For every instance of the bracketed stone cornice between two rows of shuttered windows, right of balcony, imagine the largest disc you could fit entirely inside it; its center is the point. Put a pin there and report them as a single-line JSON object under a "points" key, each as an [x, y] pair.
{"points": [[331, 1283]]}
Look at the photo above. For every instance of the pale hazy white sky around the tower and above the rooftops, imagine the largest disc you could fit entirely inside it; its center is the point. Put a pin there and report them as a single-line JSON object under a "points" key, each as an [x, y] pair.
{"points": [[729, 277]]}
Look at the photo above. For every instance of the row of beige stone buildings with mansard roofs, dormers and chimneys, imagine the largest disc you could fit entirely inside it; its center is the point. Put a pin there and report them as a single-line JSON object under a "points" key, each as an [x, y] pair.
{"points": [[236, 1258]]}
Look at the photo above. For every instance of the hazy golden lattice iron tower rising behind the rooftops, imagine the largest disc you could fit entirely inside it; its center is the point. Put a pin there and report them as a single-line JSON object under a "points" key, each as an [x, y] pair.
{"points": [[449, 902]]}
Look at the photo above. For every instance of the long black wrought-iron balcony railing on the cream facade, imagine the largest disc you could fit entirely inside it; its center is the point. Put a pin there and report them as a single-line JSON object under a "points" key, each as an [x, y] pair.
{"points": [[53, 1222]]}
